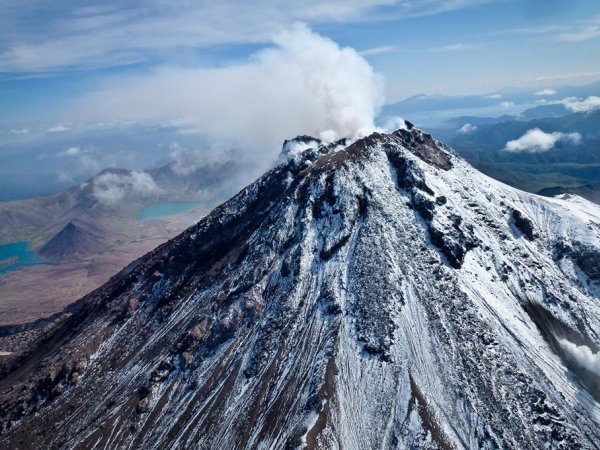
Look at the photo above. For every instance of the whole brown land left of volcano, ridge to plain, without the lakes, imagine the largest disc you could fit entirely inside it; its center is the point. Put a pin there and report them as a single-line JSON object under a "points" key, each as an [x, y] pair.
{"points": [[92, 230]]}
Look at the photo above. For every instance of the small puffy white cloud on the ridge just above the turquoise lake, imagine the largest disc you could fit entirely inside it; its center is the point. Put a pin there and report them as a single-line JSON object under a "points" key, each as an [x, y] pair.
{"points": [[112, 187]]}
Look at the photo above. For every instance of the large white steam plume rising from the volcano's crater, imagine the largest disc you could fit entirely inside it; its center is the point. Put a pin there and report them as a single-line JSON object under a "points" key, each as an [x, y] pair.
{"points": [[306, 84]]}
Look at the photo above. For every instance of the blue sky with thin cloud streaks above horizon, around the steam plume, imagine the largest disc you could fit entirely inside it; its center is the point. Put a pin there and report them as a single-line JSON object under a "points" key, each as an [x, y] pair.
{"points": [[54, 55]]}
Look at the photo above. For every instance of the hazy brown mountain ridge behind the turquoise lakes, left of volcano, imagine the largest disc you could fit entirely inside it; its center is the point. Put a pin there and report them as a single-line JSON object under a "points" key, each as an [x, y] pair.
{"points": [[112, 198]]}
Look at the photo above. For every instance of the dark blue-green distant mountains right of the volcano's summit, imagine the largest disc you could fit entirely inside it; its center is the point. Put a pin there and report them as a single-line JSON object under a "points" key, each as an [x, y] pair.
{"points": [[567, 163]]}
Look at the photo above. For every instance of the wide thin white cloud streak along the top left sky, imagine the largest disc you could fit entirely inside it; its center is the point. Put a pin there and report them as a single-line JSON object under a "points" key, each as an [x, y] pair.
{"points": [[118, 33]]}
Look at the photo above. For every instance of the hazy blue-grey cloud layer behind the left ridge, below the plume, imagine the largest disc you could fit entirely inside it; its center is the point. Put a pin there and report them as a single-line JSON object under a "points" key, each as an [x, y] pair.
{"points": [[41, 163]]}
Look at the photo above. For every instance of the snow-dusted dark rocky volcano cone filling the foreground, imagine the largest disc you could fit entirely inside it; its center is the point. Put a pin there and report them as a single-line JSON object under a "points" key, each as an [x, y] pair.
{"points": [[375, 294]]}
